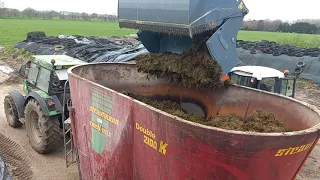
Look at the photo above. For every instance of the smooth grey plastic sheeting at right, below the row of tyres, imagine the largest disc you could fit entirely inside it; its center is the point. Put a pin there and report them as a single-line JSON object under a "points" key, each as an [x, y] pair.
{"points": [[311, 69]]}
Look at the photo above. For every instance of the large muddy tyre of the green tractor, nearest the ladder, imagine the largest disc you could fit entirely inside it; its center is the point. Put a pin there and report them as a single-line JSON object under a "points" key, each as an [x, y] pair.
{"points": [[43, 139]]}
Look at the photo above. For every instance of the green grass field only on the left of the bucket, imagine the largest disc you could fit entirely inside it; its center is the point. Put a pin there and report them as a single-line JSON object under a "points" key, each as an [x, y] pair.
{"points": [[15, 30]]}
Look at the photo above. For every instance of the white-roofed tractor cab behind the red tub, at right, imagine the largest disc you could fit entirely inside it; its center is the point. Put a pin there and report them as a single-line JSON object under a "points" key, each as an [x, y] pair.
{"points": [[264, 78]]}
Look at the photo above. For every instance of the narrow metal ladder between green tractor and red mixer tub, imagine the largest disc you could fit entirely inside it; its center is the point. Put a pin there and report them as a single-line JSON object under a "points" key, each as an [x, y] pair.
{"points": [[69, 150]]}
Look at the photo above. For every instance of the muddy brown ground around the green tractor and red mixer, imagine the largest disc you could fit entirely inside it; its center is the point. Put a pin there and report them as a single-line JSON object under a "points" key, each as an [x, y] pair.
{"points": [[25, 163]]}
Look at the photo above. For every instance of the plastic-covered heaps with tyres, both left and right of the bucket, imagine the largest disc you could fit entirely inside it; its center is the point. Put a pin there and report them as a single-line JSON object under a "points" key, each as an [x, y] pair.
{"points": [[116, 49]]}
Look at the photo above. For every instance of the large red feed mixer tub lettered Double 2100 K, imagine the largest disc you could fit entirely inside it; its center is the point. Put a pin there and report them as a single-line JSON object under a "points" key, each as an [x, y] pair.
{"points": [[118, 137]]}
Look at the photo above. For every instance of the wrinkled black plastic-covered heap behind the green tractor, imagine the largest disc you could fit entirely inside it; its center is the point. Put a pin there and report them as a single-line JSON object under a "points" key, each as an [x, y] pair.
{"points": [[88, 49]]}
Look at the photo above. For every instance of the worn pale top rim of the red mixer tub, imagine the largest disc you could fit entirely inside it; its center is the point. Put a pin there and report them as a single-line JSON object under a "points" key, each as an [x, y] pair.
{"points": [[312, 129]]}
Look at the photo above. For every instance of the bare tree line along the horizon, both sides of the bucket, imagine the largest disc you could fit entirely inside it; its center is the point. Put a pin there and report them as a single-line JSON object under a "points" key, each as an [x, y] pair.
{"points": [[305, 26]]}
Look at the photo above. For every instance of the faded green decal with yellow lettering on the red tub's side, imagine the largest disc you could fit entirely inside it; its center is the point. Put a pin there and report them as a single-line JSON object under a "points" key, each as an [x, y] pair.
{"points": [[101, 109]]}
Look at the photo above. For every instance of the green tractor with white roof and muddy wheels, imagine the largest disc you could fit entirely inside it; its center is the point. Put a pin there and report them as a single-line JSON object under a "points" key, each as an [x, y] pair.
{"points": [[42, 109]]}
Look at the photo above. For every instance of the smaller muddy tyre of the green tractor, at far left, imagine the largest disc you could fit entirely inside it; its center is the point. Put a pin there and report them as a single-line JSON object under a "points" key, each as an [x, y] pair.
{"points": [[11, 112]]}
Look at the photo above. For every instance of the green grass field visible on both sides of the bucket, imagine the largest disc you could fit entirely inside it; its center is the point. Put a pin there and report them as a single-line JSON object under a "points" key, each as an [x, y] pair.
{"points": [[15, 30]]}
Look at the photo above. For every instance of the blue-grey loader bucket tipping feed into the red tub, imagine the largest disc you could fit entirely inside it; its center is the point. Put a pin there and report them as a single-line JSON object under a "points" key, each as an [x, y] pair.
{"points": [[171, 25]]}
